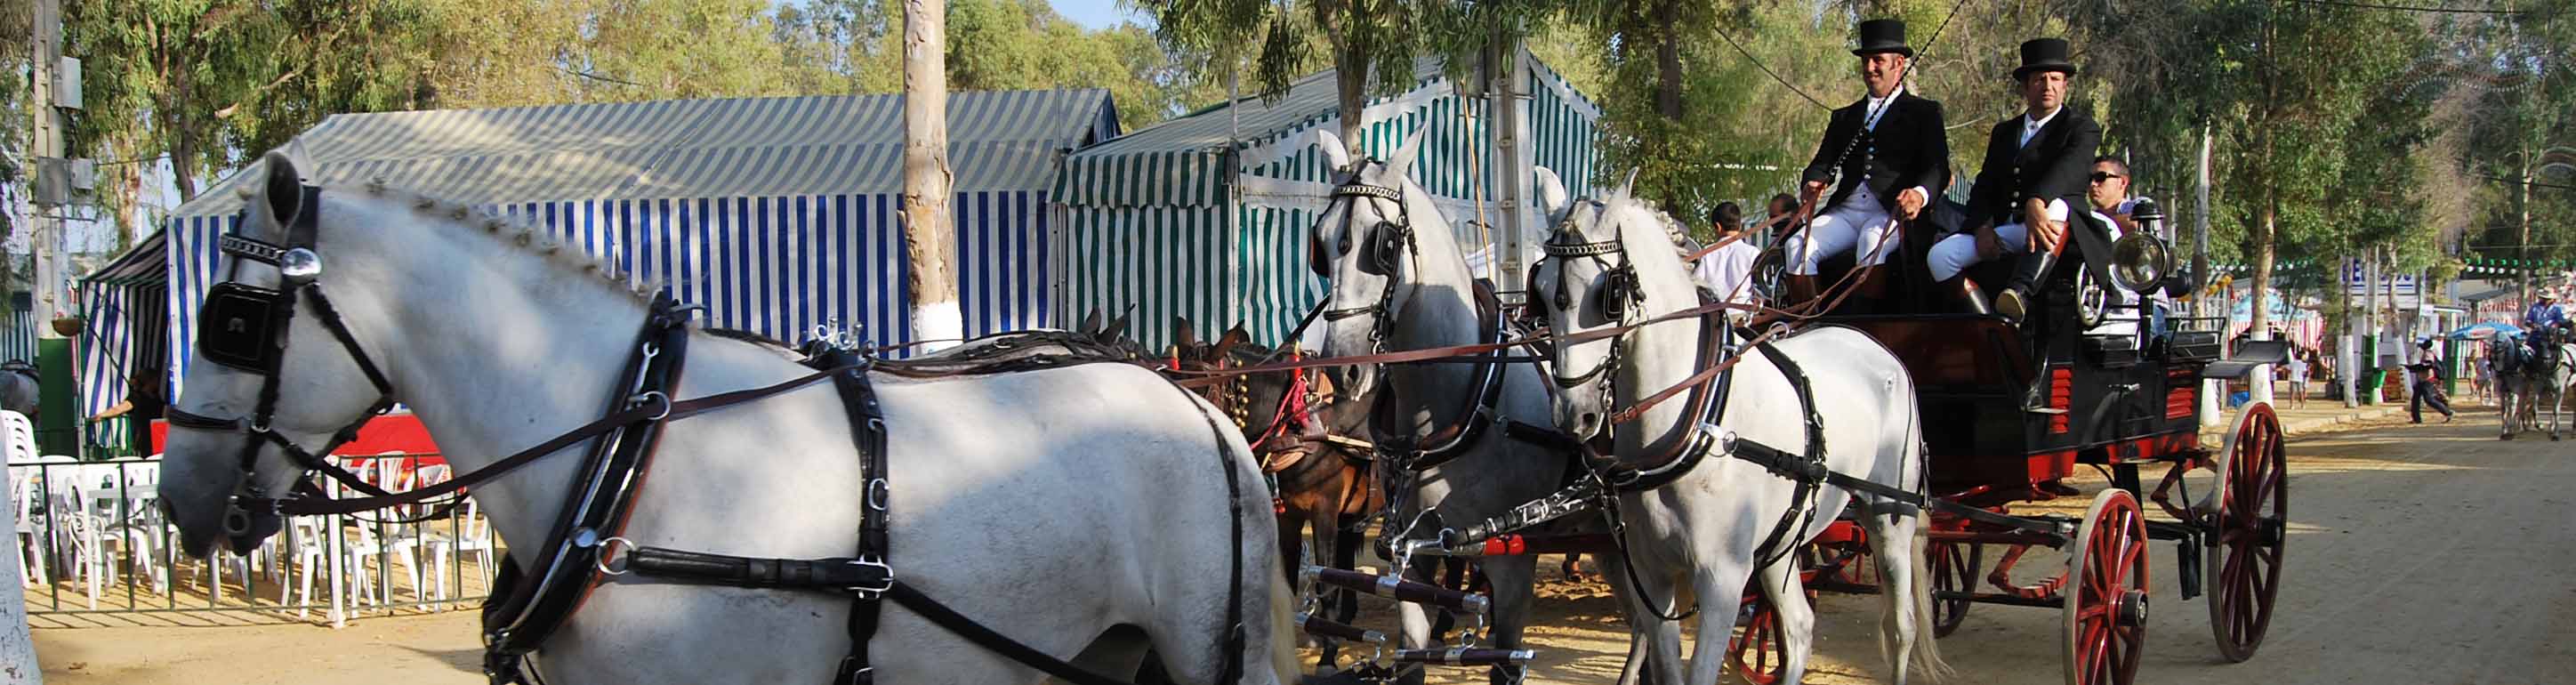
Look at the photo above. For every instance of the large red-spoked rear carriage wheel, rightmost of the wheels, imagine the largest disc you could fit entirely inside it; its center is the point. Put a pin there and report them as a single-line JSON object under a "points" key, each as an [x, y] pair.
{"points": [[2250, 534]]}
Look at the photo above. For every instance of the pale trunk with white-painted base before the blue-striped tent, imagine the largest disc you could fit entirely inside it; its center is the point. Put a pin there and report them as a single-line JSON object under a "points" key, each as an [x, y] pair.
{"points": [[929, 238]]}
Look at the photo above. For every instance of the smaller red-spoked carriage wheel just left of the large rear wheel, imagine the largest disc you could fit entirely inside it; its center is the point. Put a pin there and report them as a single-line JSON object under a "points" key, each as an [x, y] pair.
{"points": [[2106, 594]]}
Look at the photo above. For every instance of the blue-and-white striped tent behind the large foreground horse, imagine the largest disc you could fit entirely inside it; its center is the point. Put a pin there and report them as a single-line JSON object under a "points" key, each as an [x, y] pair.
{"points": [[777, 215]]}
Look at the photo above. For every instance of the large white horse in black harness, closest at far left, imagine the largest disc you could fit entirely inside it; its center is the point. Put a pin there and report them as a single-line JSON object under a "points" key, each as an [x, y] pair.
{"points": [[1081, 511]]}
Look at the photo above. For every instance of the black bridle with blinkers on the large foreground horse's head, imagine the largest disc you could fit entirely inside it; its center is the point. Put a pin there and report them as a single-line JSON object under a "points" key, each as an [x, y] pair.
{"points": [[246, 328]]}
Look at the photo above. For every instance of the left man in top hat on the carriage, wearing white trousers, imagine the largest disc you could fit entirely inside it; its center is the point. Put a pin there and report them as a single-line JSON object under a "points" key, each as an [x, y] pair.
{"points": [[1889, 156]]}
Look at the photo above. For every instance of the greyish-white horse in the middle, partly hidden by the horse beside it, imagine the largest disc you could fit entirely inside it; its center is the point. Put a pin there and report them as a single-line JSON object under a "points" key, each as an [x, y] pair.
{"points": [[1403, 285]]}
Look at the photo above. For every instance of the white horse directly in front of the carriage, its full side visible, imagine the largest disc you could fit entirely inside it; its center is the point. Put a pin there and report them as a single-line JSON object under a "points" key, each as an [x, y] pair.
{"points": [[1609, 267]]}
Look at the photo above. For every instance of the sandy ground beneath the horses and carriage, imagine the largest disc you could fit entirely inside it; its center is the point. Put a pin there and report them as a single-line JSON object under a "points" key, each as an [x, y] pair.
{"points": [[2418, 555]]}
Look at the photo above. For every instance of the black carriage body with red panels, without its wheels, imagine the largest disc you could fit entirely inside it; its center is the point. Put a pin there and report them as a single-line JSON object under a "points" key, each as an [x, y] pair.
{"points": [[2008, 408]]}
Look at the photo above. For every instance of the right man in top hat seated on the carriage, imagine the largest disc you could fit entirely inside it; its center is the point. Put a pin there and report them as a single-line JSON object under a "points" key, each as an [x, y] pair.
{"points": [[2036, 171]]}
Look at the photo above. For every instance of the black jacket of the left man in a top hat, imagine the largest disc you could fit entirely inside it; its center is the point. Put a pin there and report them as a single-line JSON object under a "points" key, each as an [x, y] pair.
{"points": [[1905, 151]]}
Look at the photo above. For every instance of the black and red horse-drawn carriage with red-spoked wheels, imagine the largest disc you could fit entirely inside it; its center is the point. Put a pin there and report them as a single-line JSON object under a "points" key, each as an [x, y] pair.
{"points": [[2088, 382]]}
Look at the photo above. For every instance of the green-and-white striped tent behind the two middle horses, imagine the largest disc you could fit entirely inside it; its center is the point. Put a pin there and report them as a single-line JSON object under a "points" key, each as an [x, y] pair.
{"points": [[1204, 218]]}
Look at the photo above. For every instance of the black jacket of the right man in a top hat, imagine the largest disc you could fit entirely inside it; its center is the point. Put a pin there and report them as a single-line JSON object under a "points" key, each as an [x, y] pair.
{"points": [[2052, 166]]}
